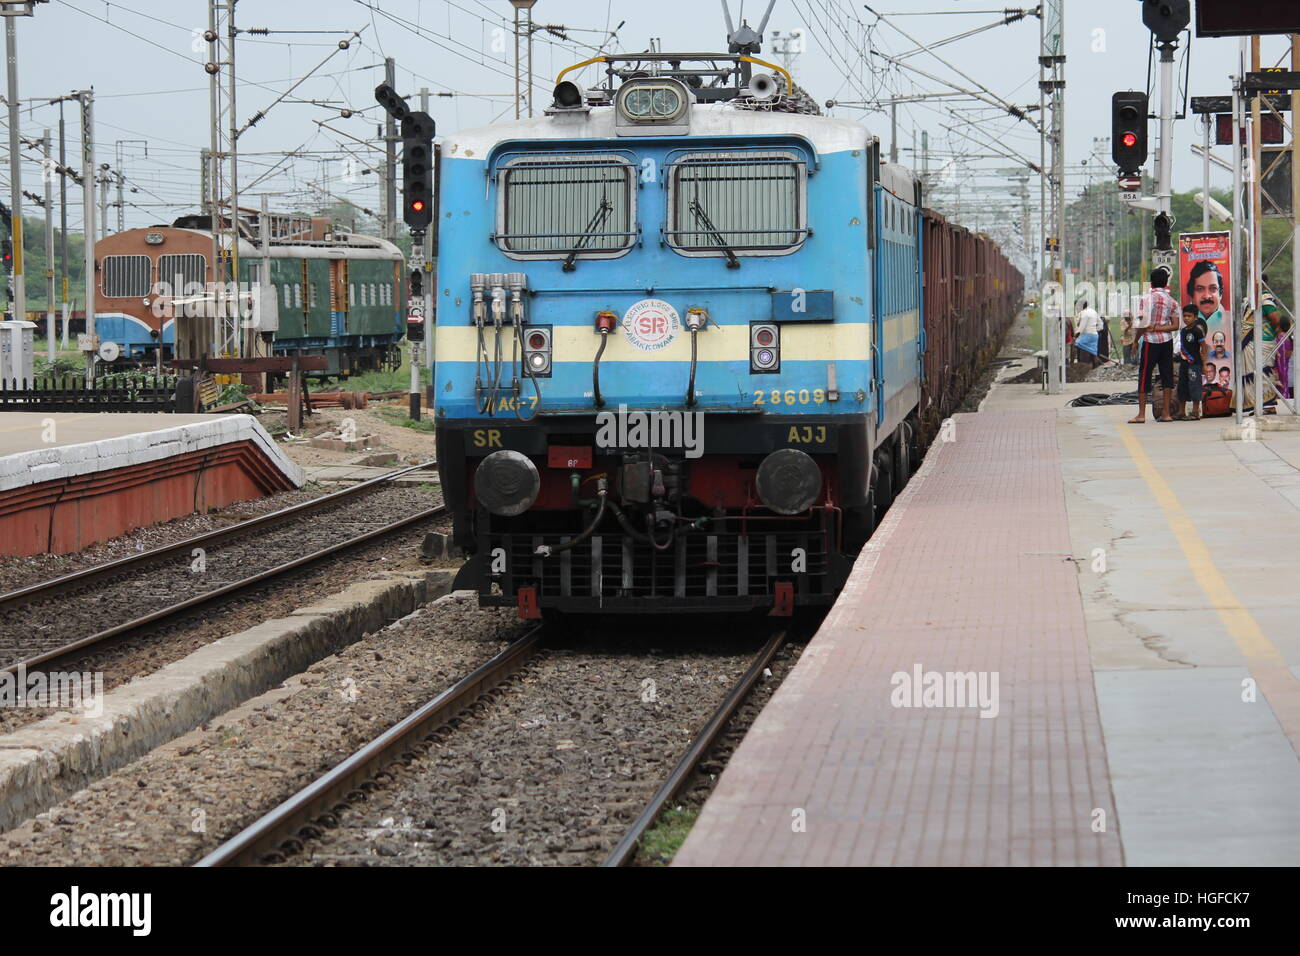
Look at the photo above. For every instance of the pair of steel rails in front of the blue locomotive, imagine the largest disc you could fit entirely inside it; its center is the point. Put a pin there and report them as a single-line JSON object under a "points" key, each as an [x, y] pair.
{"points": [[323, 803]]}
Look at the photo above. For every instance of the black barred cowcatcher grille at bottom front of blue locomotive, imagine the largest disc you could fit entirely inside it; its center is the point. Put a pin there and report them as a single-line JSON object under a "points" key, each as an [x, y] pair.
{"points": [[608, 569]]}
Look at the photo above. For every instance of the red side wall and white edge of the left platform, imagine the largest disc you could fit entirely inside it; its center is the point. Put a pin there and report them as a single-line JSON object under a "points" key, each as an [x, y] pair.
{"points": [[70, 512]]}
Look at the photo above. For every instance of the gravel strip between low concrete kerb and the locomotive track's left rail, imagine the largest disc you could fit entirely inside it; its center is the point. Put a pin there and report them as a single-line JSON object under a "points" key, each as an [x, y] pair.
{"points": [[180, 802]]}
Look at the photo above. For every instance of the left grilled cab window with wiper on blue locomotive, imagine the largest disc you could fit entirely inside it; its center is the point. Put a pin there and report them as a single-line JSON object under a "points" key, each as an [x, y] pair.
{"points": [[557, 207]]}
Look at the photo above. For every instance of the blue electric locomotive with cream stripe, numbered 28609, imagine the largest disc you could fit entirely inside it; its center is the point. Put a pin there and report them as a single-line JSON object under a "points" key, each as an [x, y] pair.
{"points": [[681, 345]]}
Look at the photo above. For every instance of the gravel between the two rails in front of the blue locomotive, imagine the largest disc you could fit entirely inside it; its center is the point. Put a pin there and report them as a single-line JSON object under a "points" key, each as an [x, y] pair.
{"points": [[554, 771]]}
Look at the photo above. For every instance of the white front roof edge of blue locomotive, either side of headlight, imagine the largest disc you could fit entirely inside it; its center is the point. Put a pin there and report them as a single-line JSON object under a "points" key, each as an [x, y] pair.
{"points": [[827, 135]]}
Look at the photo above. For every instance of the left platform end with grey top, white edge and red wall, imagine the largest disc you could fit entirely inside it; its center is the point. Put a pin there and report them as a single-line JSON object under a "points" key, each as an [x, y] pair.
{"points": [[72, 479]]}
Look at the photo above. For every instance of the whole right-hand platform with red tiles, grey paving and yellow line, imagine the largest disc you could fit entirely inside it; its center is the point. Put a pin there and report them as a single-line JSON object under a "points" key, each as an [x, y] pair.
{"points": [[1073, 642]]}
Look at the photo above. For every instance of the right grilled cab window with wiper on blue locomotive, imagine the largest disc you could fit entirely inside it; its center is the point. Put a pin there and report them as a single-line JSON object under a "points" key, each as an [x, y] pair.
{"points": [[744, 202]]}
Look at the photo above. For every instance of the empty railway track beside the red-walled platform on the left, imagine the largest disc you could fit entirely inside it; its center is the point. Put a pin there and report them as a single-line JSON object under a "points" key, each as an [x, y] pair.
{"points": [[40, 615]]}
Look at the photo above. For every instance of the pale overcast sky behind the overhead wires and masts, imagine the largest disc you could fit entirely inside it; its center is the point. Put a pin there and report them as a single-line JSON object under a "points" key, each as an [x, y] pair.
{"points": [[146, 66]]}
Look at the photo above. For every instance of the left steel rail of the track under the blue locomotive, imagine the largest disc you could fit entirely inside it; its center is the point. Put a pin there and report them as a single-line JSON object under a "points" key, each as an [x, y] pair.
{"points": [[322, 795]]}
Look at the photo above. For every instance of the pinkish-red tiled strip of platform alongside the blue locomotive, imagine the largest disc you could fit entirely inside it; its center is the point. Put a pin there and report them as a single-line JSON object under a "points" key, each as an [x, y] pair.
{"points": [[970, 572]]}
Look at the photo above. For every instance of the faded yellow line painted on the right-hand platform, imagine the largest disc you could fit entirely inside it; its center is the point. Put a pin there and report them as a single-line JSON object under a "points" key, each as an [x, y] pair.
{"points": [[1271, 672]]}
